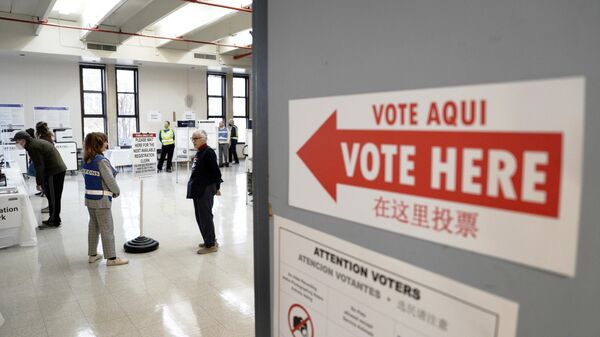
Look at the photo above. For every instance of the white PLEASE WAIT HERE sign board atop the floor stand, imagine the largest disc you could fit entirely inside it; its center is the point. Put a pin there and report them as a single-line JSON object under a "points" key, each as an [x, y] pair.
{"points": [[144, 154]]}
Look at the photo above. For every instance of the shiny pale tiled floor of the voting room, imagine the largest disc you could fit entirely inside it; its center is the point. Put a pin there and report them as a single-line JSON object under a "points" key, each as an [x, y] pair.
{"points": [[51, 290]]}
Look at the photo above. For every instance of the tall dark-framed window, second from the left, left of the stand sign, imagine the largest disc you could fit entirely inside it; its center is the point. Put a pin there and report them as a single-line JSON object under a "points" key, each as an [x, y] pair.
{"points": [[127, 104]]}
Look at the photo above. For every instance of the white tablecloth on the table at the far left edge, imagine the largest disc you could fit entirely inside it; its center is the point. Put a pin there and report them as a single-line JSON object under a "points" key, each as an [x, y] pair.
{"points": [[17, 226]]}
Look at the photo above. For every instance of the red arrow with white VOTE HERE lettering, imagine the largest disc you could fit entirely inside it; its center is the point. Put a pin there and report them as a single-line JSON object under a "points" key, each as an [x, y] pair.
{"points": [[514, 171]]}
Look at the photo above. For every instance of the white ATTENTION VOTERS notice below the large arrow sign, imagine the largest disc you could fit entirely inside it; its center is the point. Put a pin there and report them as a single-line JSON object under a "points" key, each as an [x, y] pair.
{"points": [[328, 287]]}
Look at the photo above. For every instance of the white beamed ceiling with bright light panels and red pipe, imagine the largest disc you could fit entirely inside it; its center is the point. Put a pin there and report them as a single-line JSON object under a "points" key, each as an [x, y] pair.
{"points": [[182, 25]]}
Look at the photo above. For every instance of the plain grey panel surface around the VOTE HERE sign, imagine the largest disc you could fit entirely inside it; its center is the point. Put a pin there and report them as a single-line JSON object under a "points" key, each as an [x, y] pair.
{"points": [[334, 47]]}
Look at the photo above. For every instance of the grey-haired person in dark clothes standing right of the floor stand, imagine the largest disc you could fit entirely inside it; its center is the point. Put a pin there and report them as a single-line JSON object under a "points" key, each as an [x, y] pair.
{"points": [[204, 184]]}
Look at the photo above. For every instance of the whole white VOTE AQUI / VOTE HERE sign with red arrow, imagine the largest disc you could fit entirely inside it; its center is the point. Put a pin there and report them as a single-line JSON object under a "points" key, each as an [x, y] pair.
{"points": [[493, 168]]}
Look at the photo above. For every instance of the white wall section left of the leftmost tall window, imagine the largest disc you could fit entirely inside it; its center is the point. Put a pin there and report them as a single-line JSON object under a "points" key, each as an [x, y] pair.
{"points": [[49, 83]]}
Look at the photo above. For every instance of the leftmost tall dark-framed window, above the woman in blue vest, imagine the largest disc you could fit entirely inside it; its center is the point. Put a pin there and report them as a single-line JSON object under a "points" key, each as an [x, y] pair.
{"points": [[93, 98]]}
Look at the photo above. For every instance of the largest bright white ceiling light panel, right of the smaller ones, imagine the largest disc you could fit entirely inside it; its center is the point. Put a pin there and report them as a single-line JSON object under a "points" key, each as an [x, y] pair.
{"points": [[188, 18]]}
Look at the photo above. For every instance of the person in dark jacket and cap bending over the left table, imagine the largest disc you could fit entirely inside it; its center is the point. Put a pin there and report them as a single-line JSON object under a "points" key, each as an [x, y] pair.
{"points": [[49, 171]]}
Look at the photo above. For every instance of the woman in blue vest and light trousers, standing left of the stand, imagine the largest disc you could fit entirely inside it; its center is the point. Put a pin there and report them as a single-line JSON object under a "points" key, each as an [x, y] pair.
{"points": [[100, 188]]}
